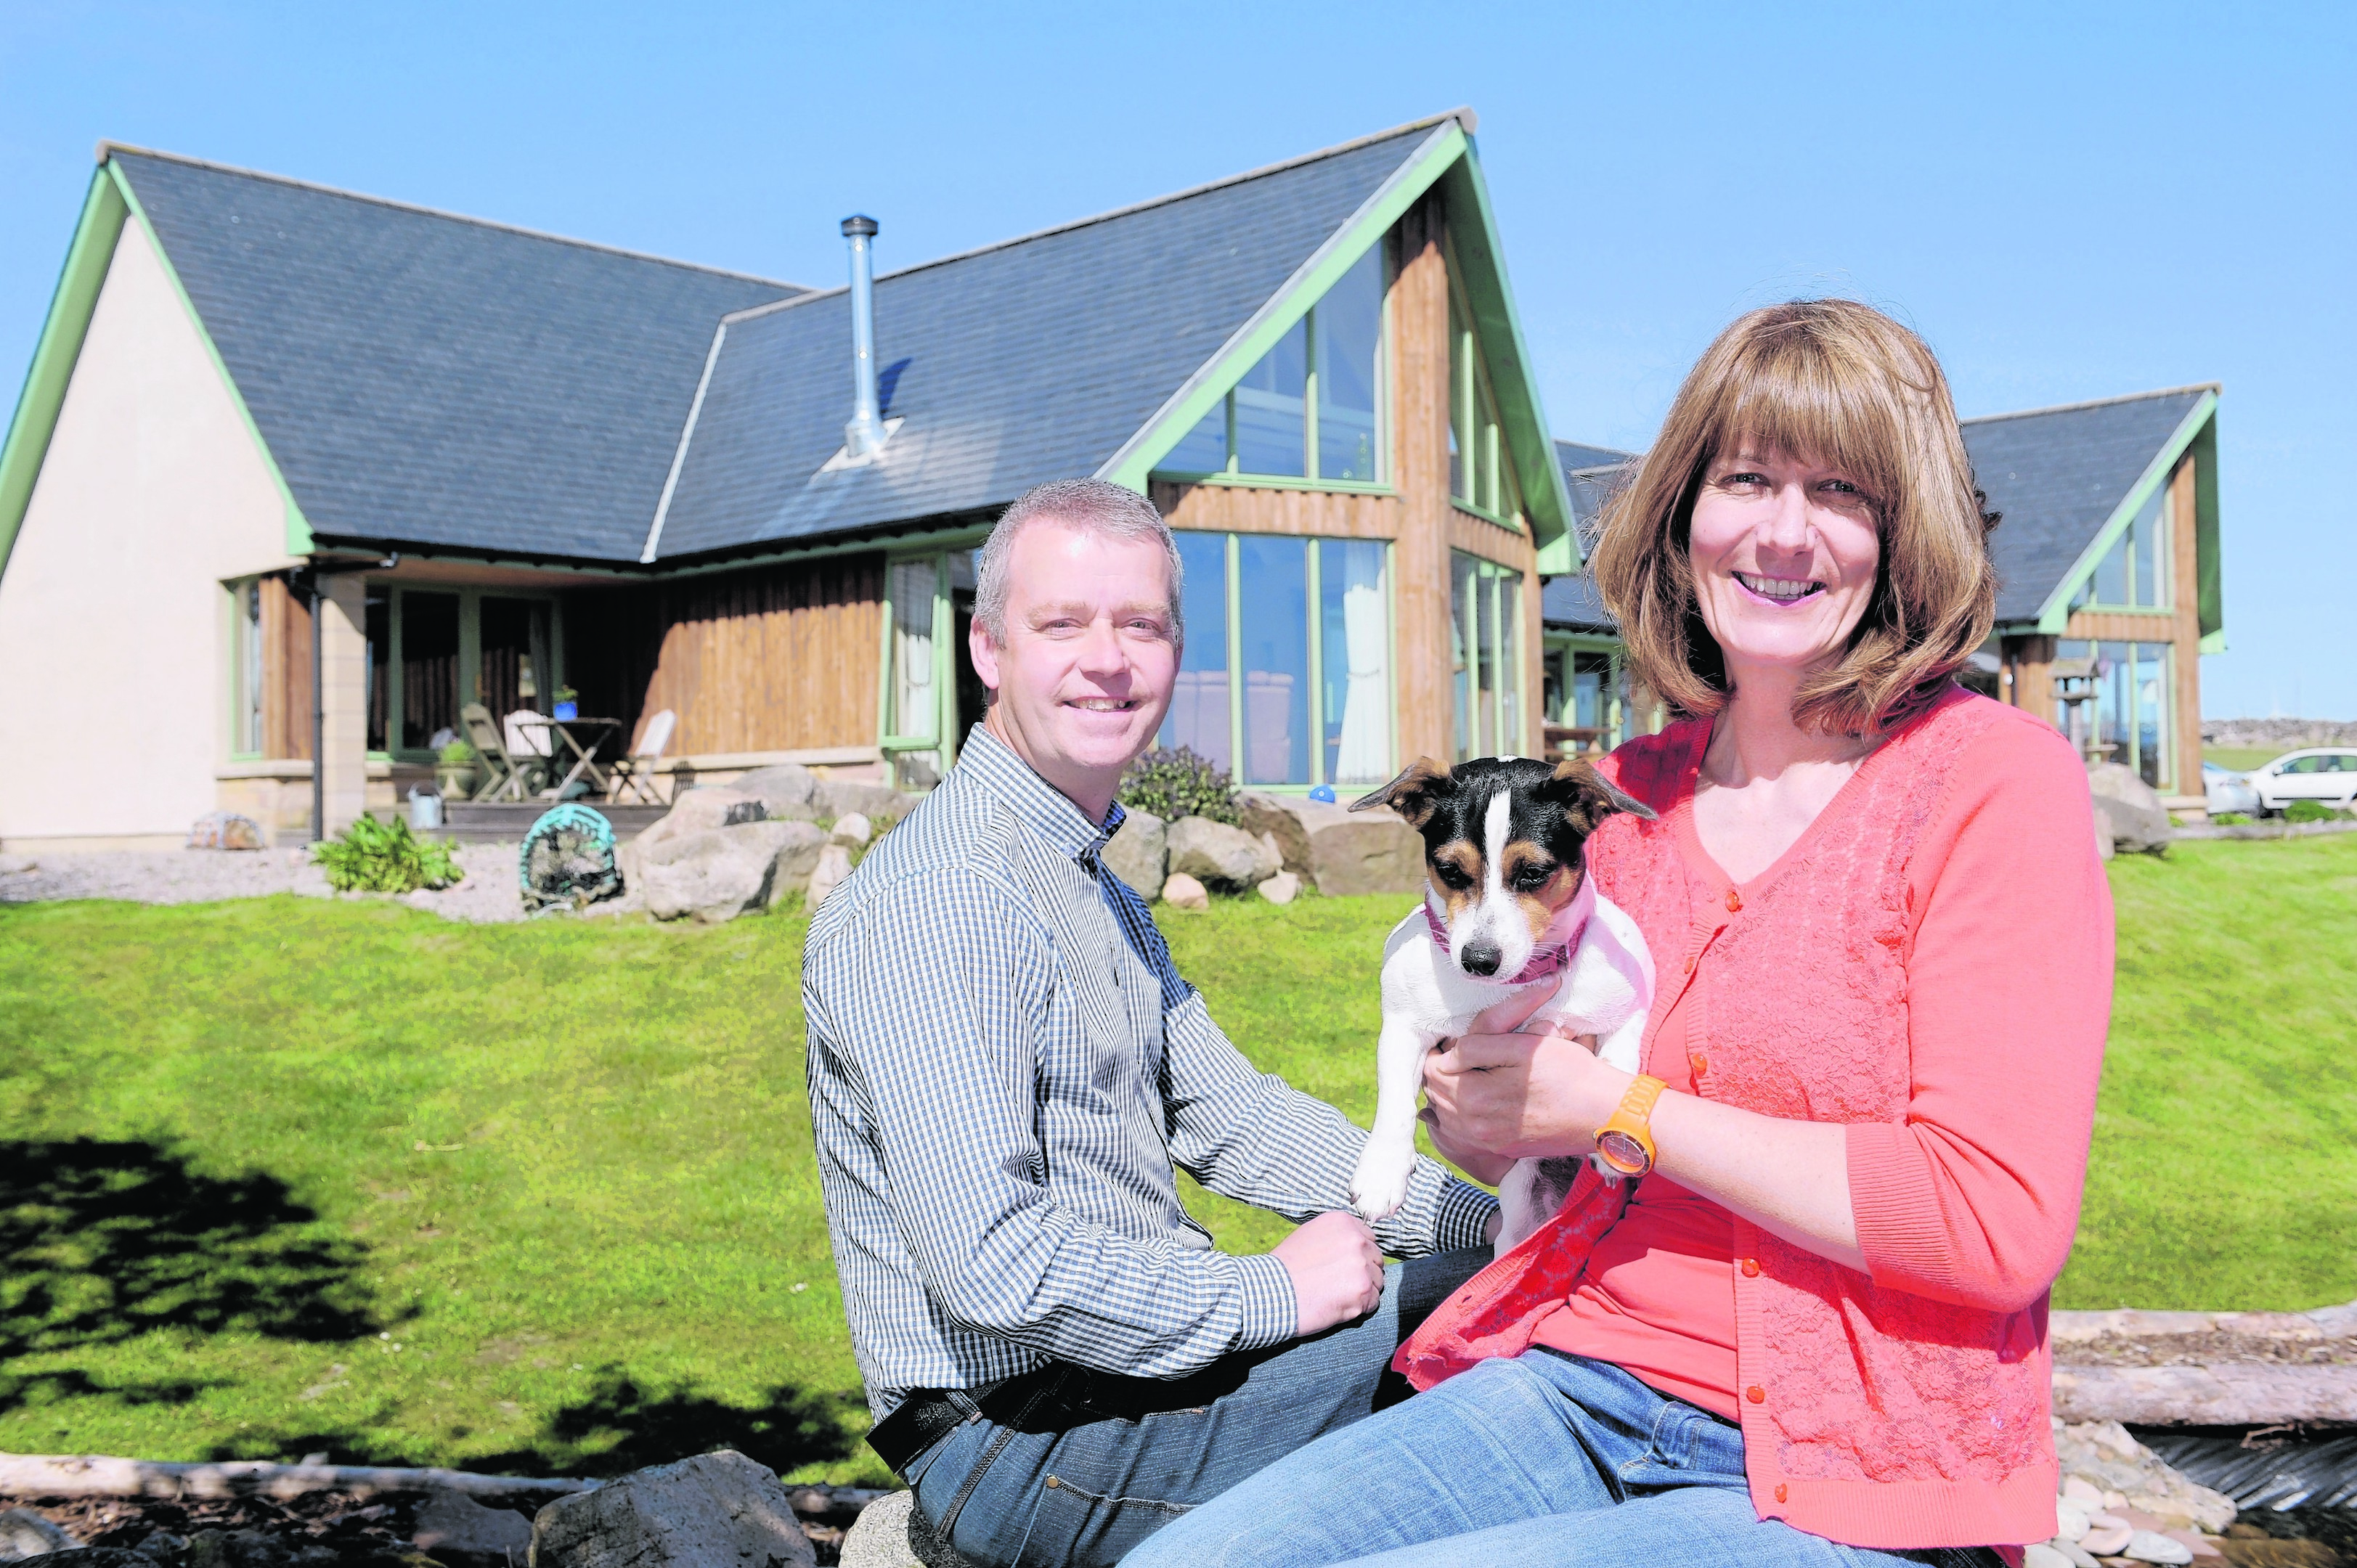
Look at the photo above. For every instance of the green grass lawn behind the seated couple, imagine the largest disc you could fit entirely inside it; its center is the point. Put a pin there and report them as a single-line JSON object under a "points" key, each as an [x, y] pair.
{"points": [[291, 1175]]}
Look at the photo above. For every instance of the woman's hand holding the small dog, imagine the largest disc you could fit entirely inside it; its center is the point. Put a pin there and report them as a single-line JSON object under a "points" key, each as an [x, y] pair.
{"points": [[1503, 1098]]}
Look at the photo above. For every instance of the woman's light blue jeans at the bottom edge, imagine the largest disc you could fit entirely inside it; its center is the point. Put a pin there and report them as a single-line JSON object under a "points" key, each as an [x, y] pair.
{"points": [[1543, 1461]]}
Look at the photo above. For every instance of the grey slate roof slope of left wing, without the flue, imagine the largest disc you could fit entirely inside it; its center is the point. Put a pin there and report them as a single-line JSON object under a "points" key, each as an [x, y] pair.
{"points": [[442, 381]]}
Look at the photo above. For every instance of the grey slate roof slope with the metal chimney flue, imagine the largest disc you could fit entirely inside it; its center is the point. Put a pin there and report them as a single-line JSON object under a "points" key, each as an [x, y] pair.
{"points": [[1024, 362]]}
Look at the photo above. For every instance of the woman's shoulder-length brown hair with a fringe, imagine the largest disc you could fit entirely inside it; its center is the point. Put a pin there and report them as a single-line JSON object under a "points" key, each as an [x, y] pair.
{"points": [[1837, 383]]}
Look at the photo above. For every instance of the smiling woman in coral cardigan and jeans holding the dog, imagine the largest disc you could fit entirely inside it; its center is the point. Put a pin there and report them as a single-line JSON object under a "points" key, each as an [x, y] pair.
{"points": [[1816, 1331]]}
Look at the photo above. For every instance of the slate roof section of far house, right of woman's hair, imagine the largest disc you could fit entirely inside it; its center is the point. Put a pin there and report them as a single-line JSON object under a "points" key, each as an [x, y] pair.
{"points": [[2056, 475]]}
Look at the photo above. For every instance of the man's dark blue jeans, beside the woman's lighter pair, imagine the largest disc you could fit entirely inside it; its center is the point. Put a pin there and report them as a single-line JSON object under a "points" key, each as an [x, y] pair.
{"points": [[1102, 1463]]}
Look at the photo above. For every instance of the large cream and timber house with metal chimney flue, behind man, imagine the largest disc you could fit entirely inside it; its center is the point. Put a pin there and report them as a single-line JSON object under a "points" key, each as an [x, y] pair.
{"points": [[503, 463]]}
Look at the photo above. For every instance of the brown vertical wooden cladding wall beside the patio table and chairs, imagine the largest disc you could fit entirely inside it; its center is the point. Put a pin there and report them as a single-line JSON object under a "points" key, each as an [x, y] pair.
{"points": [[767, 659]]}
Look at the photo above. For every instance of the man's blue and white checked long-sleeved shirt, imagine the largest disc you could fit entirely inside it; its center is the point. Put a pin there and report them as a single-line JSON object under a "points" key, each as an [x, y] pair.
{"points": [[1005, 1067]]}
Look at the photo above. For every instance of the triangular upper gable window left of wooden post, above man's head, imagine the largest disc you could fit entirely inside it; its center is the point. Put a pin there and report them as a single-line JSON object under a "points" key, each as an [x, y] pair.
{"points": [[1309, 409]]}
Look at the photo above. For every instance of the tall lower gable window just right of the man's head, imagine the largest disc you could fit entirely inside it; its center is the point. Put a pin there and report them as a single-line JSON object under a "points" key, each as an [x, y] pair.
{"points": [[1286, 676]]}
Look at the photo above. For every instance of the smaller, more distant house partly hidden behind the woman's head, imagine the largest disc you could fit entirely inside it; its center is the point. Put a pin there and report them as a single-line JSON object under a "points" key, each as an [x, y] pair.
{"points": [[2108, 584]]}
